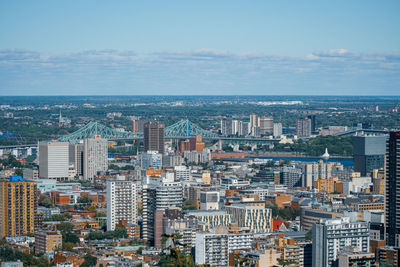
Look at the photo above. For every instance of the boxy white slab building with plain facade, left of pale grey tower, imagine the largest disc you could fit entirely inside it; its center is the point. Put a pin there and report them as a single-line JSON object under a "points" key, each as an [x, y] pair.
{"points": [[54, 160]]}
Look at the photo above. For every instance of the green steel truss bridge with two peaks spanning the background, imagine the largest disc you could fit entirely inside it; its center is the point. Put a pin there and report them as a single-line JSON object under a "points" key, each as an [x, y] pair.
{"points": [[180, 130]]}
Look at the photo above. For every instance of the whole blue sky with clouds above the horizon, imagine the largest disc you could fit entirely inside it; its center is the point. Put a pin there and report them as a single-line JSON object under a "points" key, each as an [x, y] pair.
{"points": [[199, 47]]}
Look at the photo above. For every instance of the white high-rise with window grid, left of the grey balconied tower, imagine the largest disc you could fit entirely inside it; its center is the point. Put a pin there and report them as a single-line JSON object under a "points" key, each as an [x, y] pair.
{"points": [[121, 202]]}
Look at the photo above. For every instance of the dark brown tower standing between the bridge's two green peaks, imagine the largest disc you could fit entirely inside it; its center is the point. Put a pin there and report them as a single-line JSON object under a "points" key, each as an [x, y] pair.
{"points": [[154, 136]]}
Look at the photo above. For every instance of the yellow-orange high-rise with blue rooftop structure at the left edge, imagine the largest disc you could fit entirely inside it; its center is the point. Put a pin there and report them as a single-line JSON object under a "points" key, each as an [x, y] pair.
{"points": [[18, 206]]}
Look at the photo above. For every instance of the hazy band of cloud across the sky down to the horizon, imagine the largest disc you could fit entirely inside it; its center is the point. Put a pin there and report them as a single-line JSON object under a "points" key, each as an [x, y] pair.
{"points": [[197, 71]]}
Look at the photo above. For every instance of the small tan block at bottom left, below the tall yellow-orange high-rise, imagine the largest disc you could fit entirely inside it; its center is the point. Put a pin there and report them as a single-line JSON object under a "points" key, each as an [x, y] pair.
{"points": [[47, 242]]}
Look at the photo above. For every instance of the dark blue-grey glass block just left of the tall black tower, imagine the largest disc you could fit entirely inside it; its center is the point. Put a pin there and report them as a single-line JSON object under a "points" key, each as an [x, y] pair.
{"points": [[369, 153]]}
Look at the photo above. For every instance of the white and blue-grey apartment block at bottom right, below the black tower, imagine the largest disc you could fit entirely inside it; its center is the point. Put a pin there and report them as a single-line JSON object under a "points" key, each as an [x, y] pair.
{"points": [[330, 236]]}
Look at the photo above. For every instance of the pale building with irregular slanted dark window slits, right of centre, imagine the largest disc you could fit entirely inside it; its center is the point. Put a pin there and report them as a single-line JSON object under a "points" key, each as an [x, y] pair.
{"points": [[256, 218]]}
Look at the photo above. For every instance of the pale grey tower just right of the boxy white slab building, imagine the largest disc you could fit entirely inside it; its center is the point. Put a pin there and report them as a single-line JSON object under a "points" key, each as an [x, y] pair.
{"points": [[94, 157]]}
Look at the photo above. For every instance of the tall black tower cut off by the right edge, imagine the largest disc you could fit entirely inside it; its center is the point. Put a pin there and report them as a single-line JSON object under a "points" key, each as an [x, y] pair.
{"points": [[392, 192]]}
